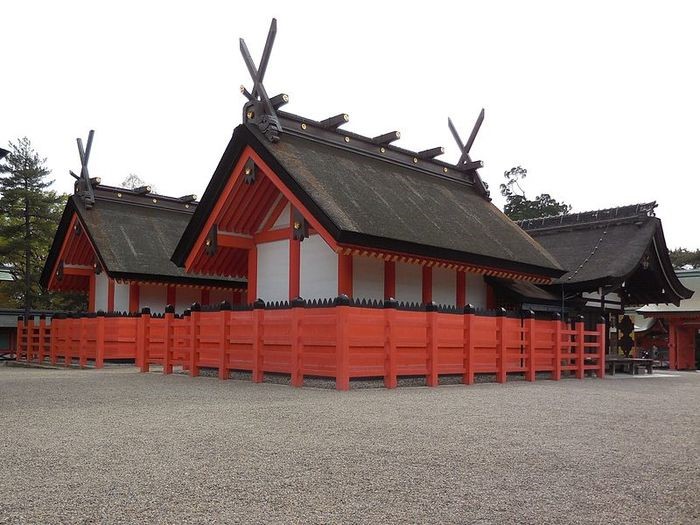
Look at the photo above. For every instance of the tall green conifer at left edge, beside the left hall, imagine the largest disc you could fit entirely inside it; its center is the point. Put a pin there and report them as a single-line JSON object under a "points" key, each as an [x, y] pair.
{"points": [[29, 213]]}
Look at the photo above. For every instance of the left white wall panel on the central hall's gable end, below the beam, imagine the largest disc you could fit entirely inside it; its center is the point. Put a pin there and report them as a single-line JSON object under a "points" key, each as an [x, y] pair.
{"points": [[273, 270]]}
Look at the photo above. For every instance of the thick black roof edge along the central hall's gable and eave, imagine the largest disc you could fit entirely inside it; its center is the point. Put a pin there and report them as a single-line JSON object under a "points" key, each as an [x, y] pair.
{"points": [[220, 178]]}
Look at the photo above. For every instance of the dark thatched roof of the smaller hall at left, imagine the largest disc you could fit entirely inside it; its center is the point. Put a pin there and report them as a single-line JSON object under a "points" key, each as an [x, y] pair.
{"points": [[134, 236]]}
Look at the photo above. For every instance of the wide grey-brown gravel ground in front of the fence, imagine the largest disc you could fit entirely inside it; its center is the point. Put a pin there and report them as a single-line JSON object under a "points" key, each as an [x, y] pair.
{"points": [[115, 446]]}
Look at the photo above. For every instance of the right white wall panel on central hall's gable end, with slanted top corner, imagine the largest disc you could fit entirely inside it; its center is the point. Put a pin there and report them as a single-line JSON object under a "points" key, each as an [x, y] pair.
{"points": [[318, 277]]}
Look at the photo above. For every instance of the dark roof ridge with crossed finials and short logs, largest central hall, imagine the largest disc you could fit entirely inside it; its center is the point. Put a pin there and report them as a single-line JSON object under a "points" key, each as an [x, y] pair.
{"points": [[261, 112]]}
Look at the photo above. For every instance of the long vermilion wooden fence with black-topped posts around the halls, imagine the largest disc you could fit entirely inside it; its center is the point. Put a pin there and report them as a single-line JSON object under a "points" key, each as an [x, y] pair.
{"points": [[341, 340]]}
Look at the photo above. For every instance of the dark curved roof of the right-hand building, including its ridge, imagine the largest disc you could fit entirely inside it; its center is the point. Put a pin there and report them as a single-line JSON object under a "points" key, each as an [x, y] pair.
{"points": [[606, 248]]}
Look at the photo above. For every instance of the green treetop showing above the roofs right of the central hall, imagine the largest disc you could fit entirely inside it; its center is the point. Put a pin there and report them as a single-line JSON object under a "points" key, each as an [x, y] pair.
{"points": [[519, 207]]}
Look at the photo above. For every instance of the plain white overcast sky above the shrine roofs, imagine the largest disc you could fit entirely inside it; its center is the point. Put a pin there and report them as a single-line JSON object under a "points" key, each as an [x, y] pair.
{"points": [[600, 101]]}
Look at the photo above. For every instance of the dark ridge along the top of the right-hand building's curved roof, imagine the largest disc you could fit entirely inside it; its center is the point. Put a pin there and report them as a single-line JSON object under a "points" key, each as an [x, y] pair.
{"points": [[602, 216]]}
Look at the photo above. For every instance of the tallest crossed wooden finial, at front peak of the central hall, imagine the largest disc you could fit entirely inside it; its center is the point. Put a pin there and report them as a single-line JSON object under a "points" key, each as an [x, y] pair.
{"points": [[260, 109]]}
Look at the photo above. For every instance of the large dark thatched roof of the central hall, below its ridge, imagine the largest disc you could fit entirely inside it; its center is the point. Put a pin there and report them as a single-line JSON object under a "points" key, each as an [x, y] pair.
{"points": [[365, 200]]}
